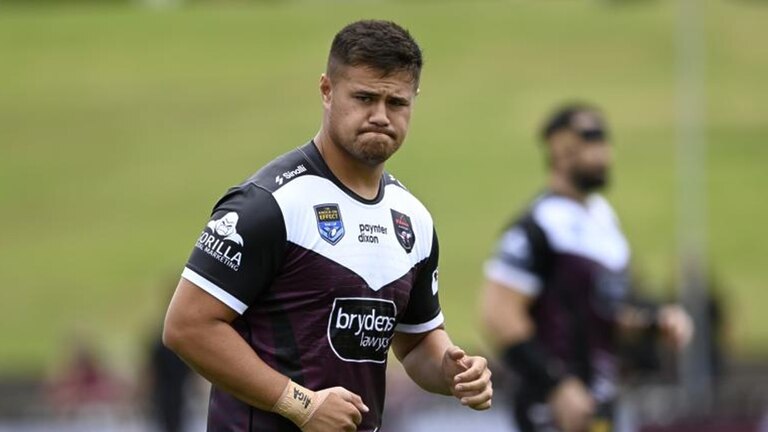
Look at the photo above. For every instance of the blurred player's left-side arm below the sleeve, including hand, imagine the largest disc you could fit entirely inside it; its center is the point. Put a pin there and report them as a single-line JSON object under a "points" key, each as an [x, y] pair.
{"points": [[507, 322]]}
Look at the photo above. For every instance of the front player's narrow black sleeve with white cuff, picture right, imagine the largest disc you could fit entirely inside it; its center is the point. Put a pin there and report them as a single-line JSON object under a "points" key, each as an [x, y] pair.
{"points": [[423, 312]]}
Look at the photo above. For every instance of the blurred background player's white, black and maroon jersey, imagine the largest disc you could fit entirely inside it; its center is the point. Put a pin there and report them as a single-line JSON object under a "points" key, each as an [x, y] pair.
{"points": [[573, 258]]}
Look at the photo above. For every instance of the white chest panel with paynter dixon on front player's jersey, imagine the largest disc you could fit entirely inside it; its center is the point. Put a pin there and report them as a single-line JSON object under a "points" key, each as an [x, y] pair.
{"points": [[368, 246]]}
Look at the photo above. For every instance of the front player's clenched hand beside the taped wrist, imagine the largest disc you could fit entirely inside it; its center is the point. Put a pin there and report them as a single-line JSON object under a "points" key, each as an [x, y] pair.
{"points": [[339, 410]]}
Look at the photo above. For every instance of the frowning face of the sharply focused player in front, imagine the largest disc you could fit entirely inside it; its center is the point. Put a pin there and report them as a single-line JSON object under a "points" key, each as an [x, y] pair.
{"points": [[367, 114]]}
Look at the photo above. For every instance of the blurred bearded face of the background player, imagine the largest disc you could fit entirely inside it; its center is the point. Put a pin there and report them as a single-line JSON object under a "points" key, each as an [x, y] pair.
{"points": [[586, 155]]}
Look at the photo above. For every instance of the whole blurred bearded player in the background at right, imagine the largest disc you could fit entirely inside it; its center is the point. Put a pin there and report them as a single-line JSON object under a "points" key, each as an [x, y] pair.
{"points": [[557, 289]]}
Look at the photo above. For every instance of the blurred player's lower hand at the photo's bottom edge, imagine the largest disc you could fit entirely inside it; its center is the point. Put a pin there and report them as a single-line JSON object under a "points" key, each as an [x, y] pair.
{"points": [[572, 405]]}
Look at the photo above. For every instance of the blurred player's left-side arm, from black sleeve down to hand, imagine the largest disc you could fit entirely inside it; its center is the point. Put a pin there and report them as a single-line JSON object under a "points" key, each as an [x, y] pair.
{"points": [[513, 280]]}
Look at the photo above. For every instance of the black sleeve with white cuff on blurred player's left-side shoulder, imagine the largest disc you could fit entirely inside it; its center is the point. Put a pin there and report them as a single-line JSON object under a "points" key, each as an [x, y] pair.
{"points": [[519, 260]]}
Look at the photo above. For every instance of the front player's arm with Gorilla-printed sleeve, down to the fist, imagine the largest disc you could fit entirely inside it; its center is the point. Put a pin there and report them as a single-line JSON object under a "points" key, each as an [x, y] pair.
{"points": [[233, 262]]}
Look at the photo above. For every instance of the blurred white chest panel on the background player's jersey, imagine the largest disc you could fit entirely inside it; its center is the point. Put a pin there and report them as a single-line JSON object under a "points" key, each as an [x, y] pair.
{"points": [[590, 230]]}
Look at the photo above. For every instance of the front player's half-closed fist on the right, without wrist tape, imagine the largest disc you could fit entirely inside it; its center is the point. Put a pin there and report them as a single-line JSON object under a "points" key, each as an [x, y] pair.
{"points": [[468, 378]]}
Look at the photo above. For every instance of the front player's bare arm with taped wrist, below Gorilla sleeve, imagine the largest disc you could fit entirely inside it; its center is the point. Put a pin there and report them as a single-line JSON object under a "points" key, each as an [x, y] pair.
{"points": [[198, 328]]}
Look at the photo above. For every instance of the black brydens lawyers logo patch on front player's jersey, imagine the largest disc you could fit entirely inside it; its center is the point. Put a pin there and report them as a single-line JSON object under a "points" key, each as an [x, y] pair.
{"points": [[360, 329]]}
